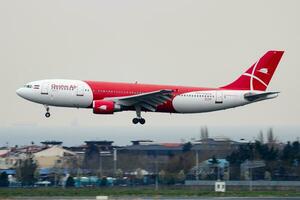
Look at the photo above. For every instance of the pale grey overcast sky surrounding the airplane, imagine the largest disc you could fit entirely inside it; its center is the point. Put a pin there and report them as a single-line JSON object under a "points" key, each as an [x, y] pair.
{"points": [[196, 43]]}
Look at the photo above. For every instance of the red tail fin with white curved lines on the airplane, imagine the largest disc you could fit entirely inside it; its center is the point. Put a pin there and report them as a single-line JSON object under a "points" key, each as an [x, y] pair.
{"points": [[259, 75]]}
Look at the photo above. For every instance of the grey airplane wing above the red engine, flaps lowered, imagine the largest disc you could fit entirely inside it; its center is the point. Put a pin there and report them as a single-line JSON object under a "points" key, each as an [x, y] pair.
{"points": [[149, 100]]}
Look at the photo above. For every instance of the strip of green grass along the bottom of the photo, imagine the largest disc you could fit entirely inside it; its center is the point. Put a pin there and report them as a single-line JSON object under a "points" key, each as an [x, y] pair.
{"points": [[15, 192]]}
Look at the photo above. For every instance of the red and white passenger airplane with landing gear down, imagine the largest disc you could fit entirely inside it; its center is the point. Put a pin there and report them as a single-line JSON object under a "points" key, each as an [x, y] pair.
{"points": [[111, 97]]}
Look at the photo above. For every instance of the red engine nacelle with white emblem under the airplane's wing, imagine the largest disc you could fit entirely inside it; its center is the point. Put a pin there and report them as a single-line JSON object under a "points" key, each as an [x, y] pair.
{"points": [[105, 107]]}
